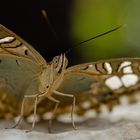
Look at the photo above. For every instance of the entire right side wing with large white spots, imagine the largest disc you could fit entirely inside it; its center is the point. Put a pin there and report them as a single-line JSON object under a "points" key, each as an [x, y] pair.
{"points": [[102, 82]]}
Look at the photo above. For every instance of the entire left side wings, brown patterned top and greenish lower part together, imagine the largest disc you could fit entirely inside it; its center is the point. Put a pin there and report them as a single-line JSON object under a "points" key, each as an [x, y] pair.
{"points": [[19, 64]]}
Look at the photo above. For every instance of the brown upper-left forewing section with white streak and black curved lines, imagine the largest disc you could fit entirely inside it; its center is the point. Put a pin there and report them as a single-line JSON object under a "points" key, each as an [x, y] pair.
{"points": [[10, 43]]}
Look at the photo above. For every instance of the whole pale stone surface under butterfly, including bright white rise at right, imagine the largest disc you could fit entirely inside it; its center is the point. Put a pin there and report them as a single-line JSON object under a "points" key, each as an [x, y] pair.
{"points": [[122, 124]]}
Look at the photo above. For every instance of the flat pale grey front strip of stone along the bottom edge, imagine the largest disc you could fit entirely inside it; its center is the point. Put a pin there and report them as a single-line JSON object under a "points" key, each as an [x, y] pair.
{"points": [[129, 131]]}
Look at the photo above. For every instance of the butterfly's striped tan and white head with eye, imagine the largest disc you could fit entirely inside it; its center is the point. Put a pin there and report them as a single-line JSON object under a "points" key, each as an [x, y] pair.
{"points": [[59, 62]]}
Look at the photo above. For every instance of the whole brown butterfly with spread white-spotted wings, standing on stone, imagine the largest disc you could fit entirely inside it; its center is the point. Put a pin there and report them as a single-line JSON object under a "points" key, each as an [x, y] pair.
{"points": [[29, 83]]}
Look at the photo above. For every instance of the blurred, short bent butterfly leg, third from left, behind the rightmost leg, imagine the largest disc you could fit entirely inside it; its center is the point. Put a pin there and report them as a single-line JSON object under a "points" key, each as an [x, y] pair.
{"points": [[54, 111]]}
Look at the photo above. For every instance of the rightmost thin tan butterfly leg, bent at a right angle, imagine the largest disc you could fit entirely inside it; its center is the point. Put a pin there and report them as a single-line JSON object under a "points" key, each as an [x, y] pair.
{"points": [[73, 104]]}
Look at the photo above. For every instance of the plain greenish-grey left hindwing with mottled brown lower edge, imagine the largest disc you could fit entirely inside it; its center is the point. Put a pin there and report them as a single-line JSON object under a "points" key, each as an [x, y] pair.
{"points": [[18, 77]]}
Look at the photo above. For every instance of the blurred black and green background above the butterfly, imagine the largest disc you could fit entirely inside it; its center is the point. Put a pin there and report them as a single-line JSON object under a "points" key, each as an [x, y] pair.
{"points": [[74, 21]]}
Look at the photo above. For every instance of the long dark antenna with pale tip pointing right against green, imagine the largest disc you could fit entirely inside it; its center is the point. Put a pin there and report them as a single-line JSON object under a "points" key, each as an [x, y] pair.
{"points": [[112, 30]]}
